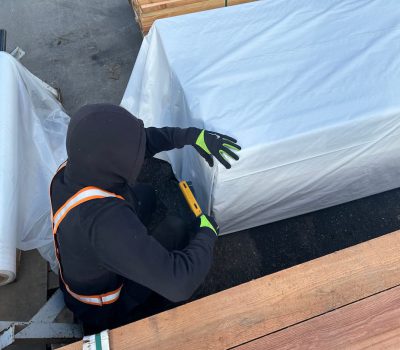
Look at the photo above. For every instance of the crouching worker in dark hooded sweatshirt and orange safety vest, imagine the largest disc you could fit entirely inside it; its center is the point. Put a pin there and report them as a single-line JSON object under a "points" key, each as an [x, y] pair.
{"points": [[109, 263]]}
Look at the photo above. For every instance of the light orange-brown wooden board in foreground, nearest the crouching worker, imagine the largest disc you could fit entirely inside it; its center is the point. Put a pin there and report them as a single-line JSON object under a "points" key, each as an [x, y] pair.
{"points": [[269, 304]]}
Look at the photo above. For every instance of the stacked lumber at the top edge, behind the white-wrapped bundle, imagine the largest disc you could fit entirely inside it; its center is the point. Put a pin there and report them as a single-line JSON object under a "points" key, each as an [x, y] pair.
{"points": [[147, 11]]}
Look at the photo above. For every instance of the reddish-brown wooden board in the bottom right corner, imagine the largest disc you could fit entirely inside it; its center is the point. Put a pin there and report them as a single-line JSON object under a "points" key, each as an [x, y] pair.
{"points": [[372, 323]]}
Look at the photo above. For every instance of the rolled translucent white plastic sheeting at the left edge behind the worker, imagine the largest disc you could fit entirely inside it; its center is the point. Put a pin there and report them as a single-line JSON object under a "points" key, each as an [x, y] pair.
{"points": [[33, 127]]}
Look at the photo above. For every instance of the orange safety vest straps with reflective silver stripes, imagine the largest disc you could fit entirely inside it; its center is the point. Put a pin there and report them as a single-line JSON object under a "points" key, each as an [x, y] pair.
{"points": [[84, 195]]}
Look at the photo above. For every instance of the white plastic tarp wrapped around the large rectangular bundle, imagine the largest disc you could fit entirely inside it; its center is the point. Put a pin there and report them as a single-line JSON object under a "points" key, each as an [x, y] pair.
{"points": [[310, 88]]}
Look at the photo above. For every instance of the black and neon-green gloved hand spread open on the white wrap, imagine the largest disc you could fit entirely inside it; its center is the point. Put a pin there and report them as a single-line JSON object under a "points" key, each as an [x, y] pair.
{"points": [[209, 144]]}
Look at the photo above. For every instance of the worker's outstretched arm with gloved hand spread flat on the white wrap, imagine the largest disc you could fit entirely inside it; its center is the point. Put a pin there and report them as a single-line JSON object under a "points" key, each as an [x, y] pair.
{"points": [[209, 144]]}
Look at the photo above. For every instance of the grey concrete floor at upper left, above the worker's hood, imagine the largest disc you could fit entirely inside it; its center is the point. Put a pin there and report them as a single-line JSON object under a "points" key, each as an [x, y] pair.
{"points": [[86, 48]]}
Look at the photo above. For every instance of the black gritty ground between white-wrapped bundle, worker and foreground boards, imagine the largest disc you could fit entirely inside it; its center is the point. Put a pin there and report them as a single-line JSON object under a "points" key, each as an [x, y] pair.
{"points": [[246, 255]]}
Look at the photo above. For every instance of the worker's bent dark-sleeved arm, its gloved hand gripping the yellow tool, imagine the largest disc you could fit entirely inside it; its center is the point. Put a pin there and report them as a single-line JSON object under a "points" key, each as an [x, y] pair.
{"points": [[124, 247]]}
